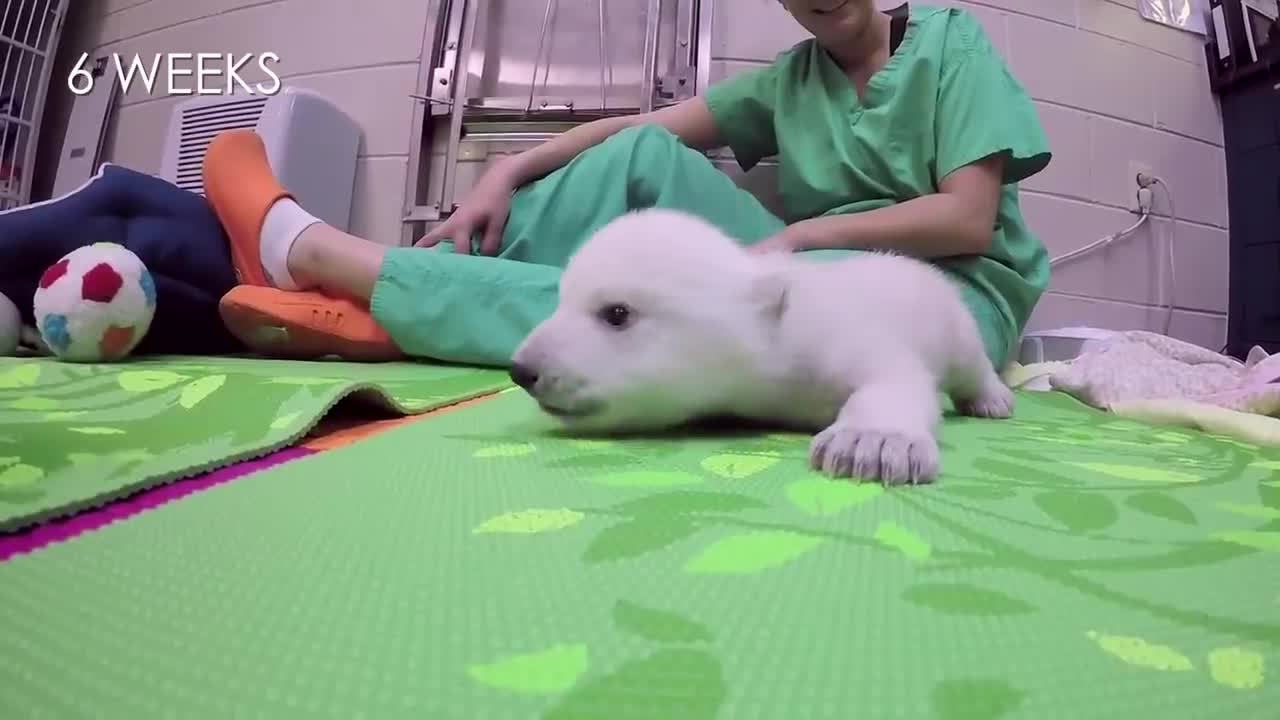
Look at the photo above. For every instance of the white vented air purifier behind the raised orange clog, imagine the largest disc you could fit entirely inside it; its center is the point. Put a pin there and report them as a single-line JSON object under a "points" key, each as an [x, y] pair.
{"points": [[310, 144]]}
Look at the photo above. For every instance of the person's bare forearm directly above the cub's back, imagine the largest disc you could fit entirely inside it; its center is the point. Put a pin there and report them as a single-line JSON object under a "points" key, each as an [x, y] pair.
{"points": [[959, 220]]}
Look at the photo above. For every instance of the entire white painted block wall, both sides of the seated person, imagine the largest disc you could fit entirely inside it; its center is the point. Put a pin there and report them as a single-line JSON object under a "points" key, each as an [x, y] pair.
{"points": [[1110, 88]]}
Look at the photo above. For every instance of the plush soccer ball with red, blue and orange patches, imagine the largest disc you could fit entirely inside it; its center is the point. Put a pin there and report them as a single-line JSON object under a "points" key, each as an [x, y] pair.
{"points": [[95, 304]]}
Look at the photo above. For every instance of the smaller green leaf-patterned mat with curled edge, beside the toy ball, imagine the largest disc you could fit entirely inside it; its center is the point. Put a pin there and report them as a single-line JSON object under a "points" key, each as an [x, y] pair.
{"points": [[74, 436]]}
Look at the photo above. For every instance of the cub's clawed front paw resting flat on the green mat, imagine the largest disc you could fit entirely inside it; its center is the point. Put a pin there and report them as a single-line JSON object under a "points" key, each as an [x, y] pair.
{"points": [[889, 457]]}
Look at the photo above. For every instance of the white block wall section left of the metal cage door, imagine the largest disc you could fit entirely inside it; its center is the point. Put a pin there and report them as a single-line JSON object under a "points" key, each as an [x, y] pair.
{"points": [[364, 61]]}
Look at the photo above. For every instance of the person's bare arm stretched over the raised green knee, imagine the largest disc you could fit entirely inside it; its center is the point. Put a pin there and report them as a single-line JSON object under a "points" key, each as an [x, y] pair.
{"points": [[689, 121]]}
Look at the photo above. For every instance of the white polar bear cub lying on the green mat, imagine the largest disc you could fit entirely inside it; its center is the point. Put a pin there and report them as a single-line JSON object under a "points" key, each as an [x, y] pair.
{"points": [[664, 320]]}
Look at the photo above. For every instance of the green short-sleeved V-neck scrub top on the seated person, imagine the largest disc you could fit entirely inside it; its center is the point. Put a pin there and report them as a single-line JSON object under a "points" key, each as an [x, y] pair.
{"points": [[944, 101]]}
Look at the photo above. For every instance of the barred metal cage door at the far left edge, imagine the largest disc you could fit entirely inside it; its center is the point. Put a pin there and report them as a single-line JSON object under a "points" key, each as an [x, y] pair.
{"points": [[29, 40]]}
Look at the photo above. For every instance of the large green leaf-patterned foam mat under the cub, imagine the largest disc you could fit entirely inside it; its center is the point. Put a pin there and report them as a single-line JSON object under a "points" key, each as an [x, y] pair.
{"points": [[1067, 566]]}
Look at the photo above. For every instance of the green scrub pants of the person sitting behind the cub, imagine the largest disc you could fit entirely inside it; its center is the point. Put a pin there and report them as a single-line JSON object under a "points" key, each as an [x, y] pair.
{"points": [[477, 309]]}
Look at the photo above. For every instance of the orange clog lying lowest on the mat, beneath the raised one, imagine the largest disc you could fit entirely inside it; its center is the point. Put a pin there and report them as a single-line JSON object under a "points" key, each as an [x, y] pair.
{"points": [[281, 323]]}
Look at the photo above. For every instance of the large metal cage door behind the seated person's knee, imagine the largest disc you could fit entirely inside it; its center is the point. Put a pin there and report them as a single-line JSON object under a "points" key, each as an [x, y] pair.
{"points": [[500, 76]]}
